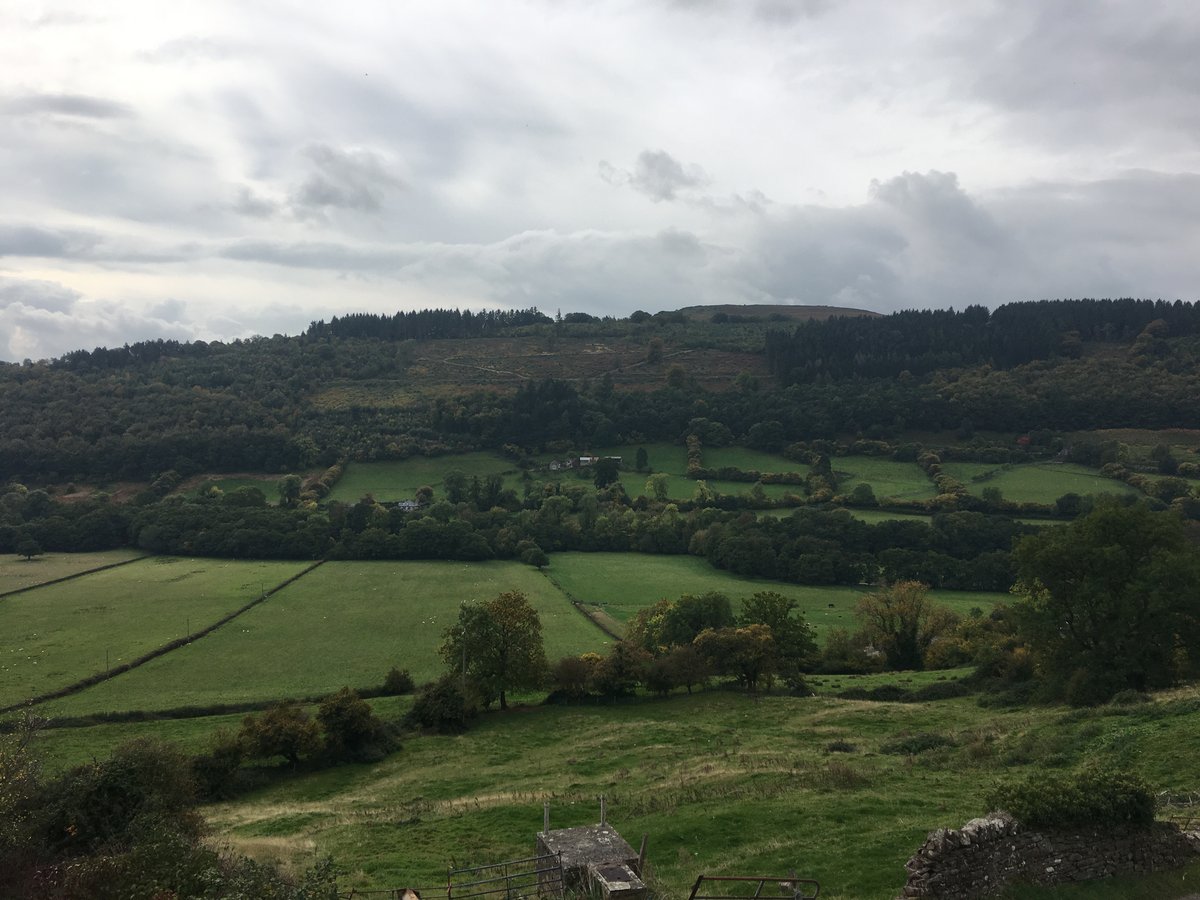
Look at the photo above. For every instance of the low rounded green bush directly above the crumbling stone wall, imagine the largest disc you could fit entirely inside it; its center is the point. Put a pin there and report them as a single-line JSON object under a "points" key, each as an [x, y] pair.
{"points": [[1093, 797]]}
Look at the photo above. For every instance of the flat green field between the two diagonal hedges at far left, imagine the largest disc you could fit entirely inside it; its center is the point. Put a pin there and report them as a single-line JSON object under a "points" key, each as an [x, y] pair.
{"points": [[58, 634]]}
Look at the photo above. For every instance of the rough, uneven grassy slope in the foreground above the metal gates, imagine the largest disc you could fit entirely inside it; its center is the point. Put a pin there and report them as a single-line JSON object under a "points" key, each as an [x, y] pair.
{"points": [[722, 783]]}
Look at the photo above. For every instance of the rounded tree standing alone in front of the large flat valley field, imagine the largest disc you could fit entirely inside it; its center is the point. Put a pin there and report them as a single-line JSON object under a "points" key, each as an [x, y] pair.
{"points": [[500, 644]]}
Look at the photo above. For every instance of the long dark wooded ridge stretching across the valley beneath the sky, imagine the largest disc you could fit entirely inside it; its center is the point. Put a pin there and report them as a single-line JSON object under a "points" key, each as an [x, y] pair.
{"points": [[139, 411]]}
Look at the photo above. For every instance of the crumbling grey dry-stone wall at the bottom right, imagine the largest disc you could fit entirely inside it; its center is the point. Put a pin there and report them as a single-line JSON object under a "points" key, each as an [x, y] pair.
{"points": [[988, 854]]}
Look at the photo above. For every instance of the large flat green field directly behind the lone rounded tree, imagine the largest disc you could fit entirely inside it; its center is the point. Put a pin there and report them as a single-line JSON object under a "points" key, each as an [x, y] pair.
{"points": [[343, 625]]}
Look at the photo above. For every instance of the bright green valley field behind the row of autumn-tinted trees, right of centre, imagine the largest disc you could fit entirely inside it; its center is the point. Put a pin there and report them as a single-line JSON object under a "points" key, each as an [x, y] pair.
{"points": [[622, 584]]}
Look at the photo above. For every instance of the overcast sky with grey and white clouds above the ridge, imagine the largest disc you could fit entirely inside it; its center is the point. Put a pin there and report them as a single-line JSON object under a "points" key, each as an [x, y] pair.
{"points": [[227, 169]]}
